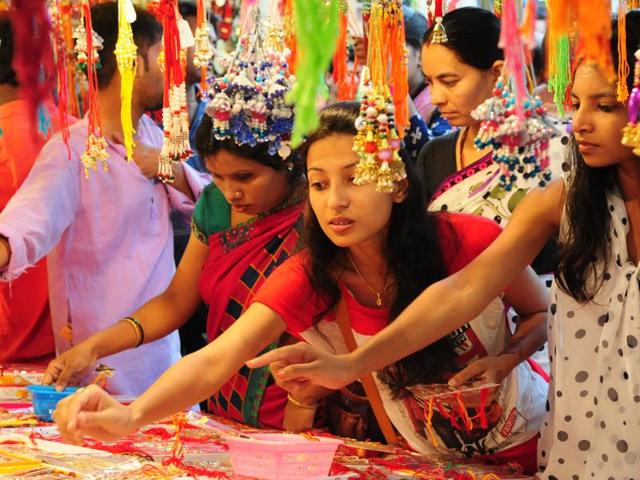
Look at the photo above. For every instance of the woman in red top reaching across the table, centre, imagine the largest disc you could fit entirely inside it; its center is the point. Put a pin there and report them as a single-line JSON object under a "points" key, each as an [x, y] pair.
{"points": [[378, 251]]}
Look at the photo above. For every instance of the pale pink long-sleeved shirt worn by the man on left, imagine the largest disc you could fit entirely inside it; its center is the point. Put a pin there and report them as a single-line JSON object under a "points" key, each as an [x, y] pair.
{"points": [[109, 243]]}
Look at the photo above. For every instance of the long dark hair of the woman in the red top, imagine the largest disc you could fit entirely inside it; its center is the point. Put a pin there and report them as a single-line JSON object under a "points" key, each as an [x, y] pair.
{"points": [[414, 258]]}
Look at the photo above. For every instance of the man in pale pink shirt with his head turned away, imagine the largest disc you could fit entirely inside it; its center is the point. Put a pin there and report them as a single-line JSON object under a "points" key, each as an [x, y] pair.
{"points": [[108, 238]]}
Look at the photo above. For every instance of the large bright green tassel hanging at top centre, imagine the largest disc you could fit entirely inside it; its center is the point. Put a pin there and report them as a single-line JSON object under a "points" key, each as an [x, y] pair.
{"points": [[316, 24]]}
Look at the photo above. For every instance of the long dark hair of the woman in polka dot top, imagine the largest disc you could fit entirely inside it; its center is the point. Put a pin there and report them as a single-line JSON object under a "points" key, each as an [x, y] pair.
{"points": [[585, 252]]}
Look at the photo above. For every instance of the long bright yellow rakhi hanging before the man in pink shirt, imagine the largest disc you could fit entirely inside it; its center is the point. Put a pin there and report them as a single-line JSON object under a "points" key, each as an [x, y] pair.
{"points": [[126, 54]]}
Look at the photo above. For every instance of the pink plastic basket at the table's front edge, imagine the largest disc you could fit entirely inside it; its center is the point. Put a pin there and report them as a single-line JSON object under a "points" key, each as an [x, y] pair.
{"points": [[281, 456]]}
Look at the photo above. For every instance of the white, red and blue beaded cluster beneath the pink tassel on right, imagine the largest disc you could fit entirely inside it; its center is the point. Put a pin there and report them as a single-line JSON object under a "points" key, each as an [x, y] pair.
{"points": [[520, 148]]}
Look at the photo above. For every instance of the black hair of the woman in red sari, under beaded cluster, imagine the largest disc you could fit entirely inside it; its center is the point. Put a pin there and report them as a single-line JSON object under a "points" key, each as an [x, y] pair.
{"points": [[207, 144]]}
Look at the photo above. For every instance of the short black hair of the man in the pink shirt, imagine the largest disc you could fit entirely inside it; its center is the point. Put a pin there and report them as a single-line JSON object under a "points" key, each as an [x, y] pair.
{"points": [[146, 33]]}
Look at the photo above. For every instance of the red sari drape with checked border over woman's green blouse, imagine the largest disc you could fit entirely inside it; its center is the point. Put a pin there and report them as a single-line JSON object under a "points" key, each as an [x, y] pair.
{"points": [[240, 259]]}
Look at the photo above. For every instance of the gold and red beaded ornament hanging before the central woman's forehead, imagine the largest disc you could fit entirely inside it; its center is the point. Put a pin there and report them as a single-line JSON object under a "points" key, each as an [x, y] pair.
{"points": [[377, 141]]}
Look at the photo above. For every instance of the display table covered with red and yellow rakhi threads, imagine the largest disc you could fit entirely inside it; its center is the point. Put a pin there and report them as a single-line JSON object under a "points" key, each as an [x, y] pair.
{"points": [[192, 445]]}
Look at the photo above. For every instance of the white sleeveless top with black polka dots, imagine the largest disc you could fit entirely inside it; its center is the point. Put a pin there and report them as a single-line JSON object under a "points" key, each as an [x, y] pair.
{"points": [[593, 428]]}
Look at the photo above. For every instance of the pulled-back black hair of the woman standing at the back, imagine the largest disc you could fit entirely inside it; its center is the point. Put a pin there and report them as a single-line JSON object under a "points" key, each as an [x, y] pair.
{"points": [[473, 35]]}
